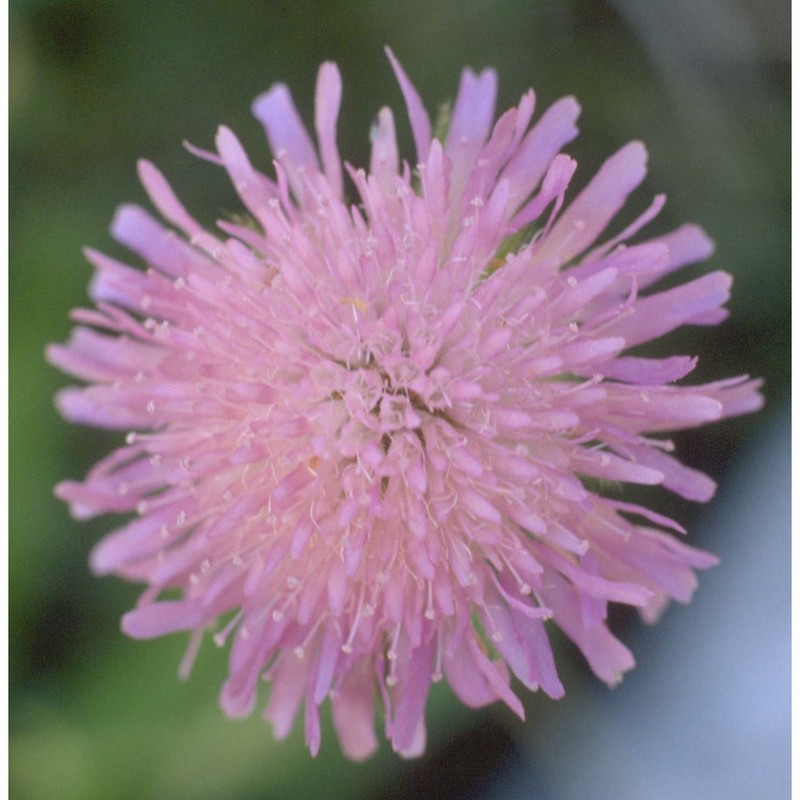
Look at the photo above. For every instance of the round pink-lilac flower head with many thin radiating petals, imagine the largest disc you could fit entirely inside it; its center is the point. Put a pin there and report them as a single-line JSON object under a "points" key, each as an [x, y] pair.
{"points": [[364, 435]]}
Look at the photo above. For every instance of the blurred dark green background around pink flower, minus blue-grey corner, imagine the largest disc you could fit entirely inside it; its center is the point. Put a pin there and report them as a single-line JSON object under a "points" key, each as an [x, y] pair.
{"points": [[96, 84]]}
